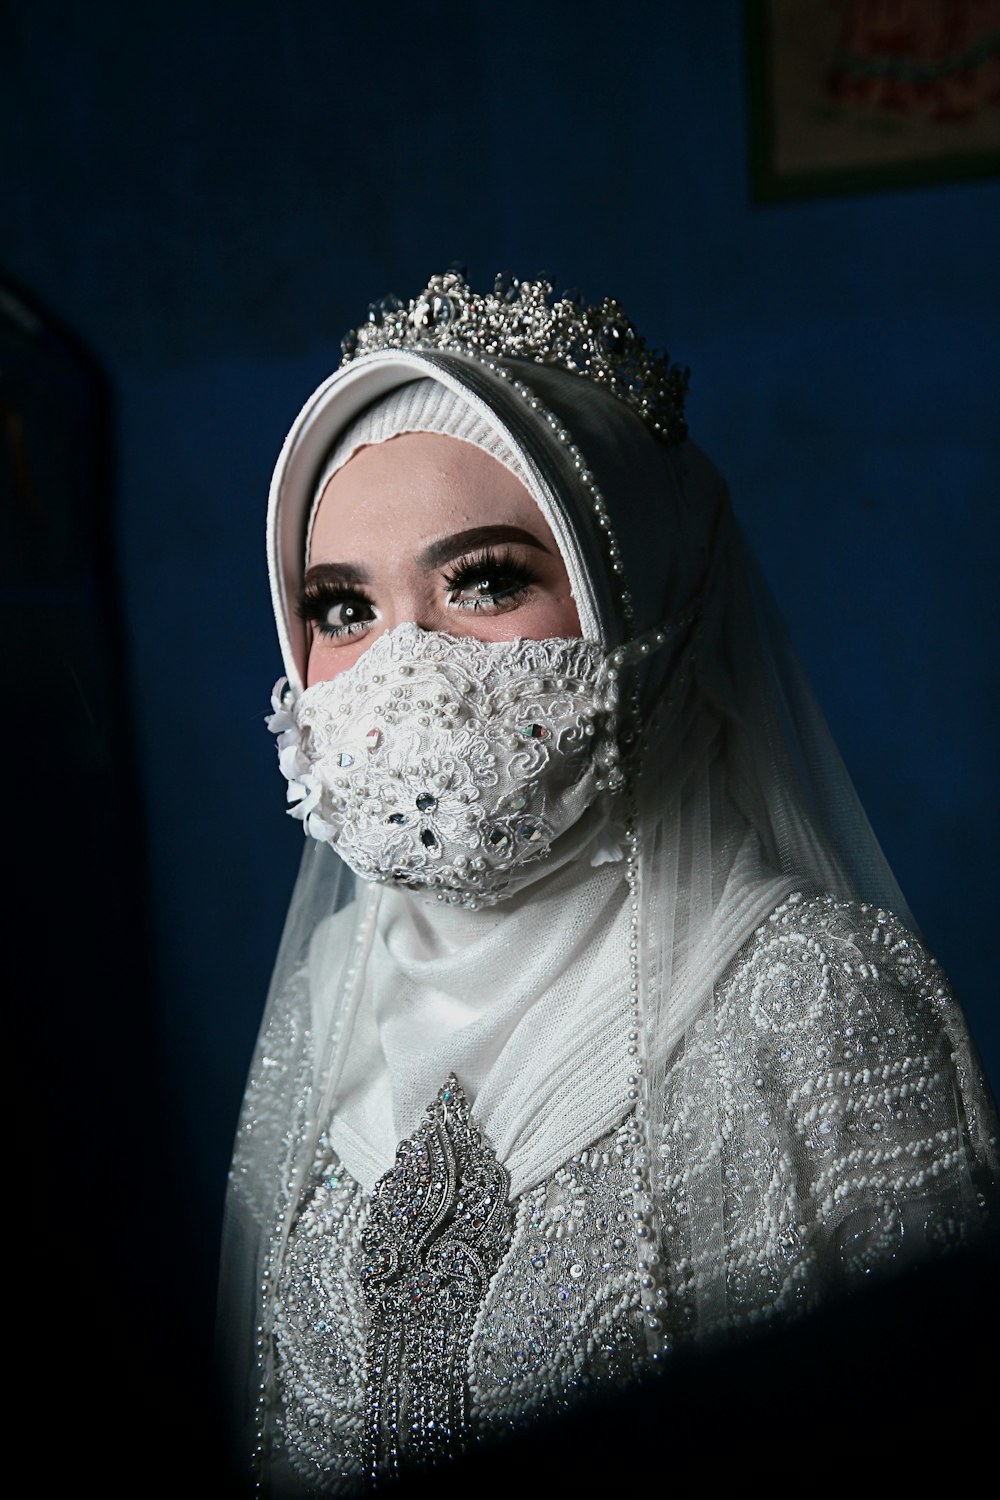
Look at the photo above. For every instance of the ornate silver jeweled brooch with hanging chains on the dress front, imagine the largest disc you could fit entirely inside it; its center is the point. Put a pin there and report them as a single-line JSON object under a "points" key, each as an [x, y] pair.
{"points": [[437, 1232]]}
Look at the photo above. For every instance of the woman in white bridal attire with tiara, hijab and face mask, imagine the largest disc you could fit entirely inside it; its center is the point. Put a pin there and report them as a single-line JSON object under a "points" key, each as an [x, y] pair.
{"points": [[623, 1037]]}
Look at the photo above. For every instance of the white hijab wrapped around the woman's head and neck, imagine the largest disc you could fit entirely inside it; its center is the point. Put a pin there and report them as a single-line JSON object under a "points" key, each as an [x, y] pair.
{"points": [[528, 1003]]}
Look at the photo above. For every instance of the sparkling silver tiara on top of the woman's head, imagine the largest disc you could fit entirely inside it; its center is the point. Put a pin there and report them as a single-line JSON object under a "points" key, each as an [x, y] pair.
{"points": [[521, 322]]}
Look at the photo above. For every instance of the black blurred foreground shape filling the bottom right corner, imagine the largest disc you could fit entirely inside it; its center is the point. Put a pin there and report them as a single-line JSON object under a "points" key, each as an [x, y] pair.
{"points": [[896, 1385]]}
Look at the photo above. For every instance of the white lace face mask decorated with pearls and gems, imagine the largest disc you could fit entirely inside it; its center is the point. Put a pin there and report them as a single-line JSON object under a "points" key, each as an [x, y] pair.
{"points": [[448, 764]]}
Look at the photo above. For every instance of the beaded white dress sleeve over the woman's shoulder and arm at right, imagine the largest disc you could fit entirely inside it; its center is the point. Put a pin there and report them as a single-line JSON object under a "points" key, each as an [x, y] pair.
{"points": [[825, 1096]]}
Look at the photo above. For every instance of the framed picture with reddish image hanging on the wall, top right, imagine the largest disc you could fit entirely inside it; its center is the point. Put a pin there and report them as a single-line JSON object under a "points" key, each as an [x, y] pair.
{"points": [[852, 95]]}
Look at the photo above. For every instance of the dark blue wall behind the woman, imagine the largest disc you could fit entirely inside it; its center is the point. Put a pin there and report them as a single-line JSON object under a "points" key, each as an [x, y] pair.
{"points": [[212, 196]]}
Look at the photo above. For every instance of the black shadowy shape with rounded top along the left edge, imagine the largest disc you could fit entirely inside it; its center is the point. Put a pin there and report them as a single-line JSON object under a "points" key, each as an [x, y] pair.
{"points": [[107, 1306]]}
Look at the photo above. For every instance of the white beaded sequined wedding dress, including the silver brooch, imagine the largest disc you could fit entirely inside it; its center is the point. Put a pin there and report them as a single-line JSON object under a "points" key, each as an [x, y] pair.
{"points": [[854, 1133]]}
